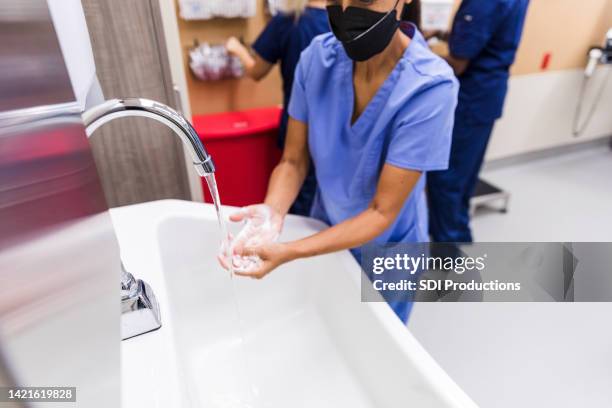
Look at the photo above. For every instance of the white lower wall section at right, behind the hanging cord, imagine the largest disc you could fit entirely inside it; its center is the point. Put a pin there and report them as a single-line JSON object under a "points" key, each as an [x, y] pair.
{"points": [[539, 112]]}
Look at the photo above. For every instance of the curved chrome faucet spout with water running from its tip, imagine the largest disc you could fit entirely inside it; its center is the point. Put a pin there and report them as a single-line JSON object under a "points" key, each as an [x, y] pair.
{"points": [[131, 107]]}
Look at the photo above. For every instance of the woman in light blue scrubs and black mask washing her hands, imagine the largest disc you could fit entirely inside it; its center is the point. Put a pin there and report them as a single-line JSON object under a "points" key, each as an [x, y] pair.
{"points": [[372, 108]]}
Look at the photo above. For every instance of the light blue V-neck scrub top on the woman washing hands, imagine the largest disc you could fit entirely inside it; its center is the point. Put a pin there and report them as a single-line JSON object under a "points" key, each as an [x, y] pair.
{"points": [[407, 124]]}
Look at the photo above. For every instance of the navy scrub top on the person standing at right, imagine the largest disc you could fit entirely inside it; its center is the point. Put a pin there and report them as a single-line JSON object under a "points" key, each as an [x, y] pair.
{"points": [[488, 34]]}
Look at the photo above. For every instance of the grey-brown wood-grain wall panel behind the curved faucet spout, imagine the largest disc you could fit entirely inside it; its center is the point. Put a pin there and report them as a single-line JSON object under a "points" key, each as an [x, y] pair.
{"points": [[138, 159]]}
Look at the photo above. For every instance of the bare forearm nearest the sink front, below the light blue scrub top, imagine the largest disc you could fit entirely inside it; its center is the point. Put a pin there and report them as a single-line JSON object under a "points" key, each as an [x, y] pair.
{"points": [[351, 233]]}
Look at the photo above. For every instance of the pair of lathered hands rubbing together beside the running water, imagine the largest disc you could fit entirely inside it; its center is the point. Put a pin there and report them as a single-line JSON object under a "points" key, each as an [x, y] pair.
{"points": [[262, 226]]}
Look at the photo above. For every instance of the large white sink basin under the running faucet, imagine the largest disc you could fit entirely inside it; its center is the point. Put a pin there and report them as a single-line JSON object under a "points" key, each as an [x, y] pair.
{"points": [[299, 338]]}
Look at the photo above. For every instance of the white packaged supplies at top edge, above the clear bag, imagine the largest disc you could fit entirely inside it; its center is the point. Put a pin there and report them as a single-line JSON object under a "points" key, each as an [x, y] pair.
{"points": [[207, 9]]}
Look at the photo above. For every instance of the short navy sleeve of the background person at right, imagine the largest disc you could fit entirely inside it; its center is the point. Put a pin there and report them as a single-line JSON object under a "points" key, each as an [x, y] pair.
{"points": [[475, 23]]}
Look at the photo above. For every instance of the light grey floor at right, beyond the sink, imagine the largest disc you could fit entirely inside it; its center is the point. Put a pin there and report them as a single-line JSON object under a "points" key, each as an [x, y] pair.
{"points": [[533, 355]]}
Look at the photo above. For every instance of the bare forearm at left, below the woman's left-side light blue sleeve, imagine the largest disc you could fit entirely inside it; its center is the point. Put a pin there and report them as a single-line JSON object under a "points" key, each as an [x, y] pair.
{"points": [[284, 186]]}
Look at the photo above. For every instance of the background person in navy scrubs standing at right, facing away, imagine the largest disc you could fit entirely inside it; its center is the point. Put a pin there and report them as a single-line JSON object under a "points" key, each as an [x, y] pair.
{"points": [[483, 45]]}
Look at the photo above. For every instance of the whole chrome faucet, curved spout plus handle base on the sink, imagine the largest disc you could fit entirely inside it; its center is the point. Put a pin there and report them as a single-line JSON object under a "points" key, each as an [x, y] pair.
{"points": [[139, 309]]}
